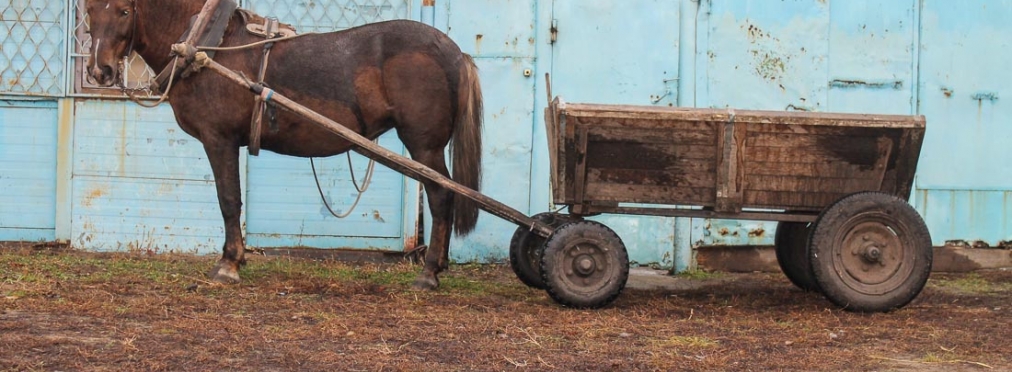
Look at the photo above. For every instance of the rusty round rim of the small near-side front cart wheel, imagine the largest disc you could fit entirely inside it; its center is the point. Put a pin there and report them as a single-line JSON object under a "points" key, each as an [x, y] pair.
{"points": [[586, 266]]}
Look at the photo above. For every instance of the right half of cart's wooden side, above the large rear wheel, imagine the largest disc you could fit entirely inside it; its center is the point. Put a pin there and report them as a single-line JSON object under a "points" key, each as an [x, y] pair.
{"points": [[809, 167]]}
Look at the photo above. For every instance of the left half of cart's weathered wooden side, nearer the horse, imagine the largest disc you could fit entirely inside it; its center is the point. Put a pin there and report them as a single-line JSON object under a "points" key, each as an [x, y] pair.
{"points": [[651, 161]]}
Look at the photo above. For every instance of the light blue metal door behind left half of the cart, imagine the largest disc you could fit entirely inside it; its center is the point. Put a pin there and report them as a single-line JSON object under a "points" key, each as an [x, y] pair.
{"points": [[624, 53]]}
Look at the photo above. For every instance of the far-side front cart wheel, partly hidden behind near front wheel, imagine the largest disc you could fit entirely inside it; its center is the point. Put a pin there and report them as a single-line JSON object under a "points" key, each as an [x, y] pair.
{"points": [[526, 251]]}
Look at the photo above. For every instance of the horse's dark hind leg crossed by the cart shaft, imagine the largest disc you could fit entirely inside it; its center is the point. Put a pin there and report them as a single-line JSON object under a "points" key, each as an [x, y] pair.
{"points": [[442, 209]]}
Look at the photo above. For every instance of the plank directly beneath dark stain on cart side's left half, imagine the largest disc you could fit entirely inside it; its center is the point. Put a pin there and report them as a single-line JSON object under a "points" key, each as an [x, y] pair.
{"points": [[678, 178]]}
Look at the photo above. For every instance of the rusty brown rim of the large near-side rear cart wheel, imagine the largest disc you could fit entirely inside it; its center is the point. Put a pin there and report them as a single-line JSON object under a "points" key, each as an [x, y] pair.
{"points": [[871, 254]]}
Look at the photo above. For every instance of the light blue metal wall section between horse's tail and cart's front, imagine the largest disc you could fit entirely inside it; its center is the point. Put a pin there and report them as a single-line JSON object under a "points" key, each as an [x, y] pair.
{"points": [[502, 43]]}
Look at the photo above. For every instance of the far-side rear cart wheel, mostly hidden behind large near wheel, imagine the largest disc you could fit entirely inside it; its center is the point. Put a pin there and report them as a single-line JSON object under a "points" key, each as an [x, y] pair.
{"points": [[792, 243]]}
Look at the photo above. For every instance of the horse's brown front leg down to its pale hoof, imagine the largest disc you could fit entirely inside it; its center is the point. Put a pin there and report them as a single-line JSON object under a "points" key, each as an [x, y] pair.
{"points": [[224, 157]]}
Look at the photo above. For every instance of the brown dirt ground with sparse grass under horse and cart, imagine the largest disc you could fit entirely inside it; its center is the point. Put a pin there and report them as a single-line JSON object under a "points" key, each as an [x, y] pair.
{"points": [[71, 311]]}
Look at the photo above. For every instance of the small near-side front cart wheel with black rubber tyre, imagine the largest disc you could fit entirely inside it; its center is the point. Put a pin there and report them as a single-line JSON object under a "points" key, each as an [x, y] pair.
{"points": [[584, 265]]}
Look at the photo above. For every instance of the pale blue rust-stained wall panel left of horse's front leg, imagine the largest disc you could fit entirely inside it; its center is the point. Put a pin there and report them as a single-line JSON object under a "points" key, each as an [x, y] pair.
{"points": [[140, 182]]}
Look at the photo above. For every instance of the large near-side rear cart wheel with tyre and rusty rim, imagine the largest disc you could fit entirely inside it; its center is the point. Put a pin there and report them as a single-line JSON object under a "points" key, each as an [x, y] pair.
{"points": [[871, 252]]}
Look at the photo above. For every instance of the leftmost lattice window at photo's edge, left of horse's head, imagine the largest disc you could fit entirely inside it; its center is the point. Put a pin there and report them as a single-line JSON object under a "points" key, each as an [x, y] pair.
{"points": [[33, 52]]}
